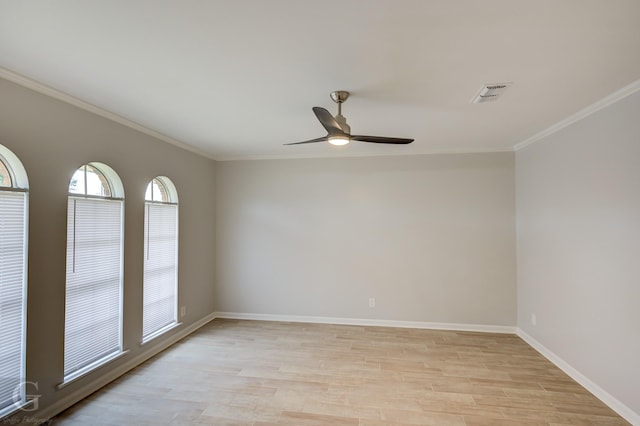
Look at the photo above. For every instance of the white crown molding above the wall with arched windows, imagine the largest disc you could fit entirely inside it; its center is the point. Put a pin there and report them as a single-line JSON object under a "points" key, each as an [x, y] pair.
{"points": [[70, 99]]}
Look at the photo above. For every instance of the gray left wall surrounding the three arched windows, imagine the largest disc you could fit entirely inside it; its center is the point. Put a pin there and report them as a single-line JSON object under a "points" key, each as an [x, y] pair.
{"points": [[52, 139]]}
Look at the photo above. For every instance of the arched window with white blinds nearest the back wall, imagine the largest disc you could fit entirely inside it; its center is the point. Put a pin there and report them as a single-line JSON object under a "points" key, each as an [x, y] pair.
{"points": [[160, 300]]}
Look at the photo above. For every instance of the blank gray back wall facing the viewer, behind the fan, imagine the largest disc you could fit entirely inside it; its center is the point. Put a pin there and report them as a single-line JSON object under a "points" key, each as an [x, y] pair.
{"points": [[432, 238]]}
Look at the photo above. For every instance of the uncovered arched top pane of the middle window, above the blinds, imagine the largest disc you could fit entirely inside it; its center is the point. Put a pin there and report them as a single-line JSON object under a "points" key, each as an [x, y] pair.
{"points": [[96, 180]]}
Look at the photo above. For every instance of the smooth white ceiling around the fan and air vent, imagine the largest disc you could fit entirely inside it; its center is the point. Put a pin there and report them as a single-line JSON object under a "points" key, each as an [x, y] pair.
{"points": [[238, 78]]}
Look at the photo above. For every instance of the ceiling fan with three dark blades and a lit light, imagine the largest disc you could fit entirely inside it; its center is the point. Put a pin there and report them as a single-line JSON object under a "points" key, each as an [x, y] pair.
{"points": [[338, 131]]}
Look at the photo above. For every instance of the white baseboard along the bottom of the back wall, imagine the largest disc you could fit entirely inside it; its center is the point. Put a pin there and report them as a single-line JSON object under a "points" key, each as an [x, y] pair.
{"points": [[370, 322]]}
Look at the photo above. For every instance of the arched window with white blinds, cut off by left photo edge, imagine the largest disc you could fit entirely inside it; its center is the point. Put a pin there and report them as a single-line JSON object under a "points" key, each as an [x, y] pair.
{"points": [[13, 280]]}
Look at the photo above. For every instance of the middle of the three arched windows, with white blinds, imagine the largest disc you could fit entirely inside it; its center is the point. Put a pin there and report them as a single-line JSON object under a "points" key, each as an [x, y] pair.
{"points": [[93, 303]]}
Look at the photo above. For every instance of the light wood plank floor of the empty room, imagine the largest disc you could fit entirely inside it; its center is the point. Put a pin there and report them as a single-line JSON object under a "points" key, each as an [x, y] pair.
{"points": [[234, 372]]}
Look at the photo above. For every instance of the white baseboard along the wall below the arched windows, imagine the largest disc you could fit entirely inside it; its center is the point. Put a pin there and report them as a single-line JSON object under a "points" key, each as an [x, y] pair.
{"points": [[81, 393]]}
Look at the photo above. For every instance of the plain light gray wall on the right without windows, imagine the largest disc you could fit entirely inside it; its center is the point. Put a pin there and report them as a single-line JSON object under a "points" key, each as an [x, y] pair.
{"points": [[578, 226]]}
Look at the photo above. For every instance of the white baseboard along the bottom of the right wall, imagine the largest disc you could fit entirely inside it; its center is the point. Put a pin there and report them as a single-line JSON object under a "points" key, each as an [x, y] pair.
{"points": [[613, 403]]}
